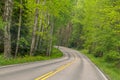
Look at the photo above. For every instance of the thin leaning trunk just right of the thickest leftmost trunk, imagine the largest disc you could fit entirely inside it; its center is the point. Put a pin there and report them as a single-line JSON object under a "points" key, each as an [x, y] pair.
{"points": [[19, 28]]}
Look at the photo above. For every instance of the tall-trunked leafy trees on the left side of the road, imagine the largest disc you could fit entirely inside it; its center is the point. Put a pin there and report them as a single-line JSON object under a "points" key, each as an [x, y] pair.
{"points": [[27, 27]]}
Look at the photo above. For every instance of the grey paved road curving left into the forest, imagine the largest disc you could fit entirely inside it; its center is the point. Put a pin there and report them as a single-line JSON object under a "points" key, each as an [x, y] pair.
{"points": [[73, 66]]}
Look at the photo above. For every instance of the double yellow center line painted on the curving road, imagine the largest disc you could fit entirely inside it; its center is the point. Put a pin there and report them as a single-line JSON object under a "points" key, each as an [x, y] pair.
{"points": [[49, 74]]}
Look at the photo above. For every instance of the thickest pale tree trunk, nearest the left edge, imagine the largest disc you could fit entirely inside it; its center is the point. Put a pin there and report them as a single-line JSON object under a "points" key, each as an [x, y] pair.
{"points": [[7, 36]]}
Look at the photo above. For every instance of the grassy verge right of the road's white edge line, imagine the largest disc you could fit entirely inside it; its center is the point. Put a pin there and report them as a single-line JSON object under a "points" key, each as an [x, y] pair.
{"points": [[107, 67]]}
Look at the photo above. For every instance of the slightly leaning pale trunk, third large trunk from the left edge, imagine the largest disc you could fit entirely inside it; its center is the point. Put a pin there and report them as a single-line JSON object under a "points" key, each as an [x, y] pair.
{"points": [[34, 30]]}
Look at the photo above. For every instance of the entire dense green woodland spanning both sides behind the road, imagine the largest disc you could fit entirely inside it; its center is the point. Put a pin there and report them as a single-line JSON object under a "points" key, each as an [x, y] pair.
{"points": [[32, 27]]}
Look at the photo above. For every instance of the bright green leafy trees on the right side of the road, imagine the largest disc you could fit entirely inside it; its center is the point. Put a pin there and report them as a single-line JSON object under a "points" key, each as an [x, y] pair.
{"points": [[99, 32]]}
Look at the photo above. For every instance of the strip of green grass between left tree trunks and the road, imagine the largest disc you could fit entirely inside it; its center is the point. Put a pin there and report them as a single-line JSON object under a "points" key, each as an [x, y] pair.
{"points": [[55, 54]]}
